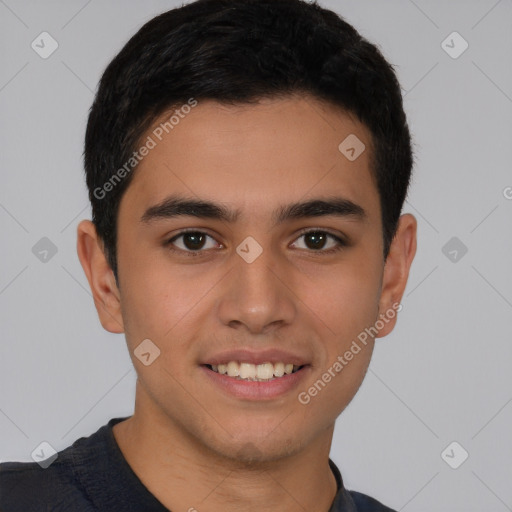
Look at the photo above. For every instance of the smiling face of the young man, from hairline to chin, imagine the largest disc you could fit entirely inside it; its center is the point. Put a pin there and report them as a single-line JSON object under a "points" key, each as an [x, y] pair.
{"points": [[247, 237]]}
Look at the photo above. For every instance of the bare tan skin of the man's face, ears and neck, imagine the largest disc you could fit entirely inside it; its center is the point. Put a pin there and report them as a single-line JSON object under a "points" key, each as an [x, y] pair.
{"points": [[190, 444]]}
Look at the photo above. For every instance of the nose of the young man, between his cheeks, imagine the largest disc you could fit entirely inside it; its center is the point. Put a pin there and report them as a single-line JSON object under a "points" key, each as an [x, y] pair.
{"points": [[258, 296]]}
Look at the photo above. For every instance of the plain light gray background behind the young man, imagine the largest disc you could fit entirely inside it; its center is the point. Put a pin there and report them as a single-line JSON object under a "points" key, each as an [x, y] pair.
{"points": [[443, 375]]}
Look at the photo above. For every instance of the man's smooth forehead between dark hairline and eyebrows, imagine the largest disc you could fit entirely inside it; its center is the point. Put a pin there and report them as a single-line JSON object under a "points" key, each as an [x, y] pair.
{"points": [[255, 154]]}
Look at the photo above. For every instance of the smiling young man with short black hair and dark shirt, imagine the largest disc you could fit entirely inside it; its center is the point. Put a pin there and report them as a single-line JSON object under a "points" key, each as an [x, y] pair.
{"points": [[247, 163]]}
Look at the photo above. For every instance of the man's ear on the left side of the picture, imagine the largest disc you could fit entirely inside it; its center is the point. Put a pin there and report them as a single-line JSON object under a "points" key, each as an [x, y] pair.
{"points": [[100, 276]]}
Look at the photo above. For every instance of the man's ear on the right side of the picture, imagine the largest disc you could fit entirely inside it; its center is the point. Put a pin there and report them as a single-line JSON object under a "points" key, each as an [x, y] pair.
{"points": [[396, 272]]}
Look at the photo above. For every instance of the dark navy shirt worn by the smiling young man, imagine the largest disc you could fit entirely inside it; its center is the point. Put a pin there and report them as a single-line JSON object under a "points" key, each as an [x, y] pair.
{"points": [[92, 475]]}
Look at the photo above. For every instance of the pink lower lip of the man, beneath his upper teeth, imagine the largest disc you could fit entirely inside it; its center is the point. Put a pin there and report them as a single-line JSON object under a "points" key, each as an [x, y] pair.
{"points": [[257, 390]]}
